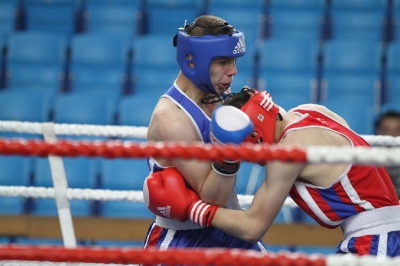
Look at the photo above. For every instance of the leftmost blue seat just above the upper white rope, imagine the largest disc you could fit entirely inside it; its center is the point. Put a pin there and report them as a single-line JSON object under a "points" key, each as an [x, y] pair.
{"points": [[24, 107]]}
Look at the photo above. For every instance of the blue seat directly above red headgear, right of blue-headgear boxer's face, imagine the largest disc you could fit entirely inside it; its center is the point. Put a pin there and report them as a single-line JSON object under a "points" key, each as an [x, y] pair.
{"points": [[288, 70]]}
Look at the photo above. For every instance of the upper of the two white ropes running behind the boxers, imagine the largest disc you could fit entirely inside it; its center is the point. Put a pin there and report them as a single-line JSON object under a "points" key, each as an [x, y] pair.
{"points": [[133, 131]]}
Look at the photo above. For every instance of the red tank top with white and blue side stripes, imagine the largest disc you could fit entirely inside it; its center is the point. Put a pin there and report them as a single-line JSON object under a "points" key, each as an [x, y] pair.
{"points": [[359, 188]]}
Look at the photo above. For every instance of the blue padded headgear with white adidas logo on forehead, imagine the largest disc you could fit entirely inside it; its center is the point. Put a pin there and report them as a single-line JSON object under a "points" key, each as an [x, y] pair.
{"points": [[203, 49]]}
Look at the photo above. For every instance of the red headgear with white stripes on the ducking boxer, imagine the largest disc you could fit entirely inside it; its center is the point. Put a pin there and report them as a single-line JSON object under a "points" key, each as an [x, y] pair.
{"points": [[263, 113]]}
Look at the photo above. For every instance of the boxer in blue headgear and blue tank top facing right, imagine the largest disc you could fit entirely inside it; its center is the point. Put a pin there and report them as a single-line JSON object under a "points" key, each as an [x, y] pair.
{"points": [[207, 51]]}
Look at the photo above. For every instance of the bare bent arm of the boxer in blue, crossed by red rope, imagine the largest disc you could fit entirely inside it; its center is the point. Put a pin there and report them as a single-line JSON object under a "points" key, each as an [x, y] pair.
{"points": [[169, 123]]}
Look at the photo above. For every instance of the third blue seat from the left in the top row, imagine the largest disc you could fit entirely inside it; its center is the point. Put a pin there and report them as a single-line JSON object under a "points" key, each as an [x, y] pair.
{"points": [[110, 16]]}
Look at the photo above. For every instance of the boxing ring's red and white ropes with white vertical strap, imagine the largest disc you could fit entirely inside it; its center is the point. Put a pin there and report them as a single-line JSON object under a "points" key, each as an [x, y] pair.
{"points": [[385, 151]]}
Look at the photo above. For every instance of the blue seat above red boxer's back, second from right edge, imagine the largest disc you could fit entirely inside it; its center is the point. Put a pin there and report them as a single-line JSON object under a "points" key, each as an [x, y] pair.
{"points": [[351, 66]]}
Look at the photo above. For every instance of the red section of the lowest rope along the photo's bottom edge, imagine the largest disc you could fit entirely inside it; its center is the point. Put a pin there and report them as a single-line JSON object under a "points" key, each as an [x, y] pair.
{"points": [[215, 256]]}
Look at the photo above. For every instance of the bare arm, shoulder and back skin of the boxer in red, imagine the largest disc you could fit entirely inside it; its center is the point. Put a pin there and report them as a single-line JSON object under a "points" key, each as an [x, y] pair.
{"points": [[252, 225]]}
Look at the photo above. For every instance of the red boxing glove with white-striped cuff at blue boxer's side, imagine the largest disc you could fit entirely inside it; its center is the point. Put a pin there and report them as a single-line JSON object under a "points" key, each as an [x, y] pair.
{"points": [[166, 195]]}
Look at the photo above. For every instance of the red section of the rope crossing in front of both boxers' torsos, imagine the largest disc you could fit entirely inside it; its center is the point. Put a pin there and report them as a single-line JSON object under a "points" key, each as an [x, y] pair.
{"points": [[117, 149]]}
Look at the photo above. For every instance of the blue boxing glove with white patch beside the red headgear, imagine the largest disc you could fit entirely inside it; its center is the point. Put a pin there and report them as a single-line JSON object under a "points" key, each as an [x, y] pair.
{"points": [[229, 125]]}
